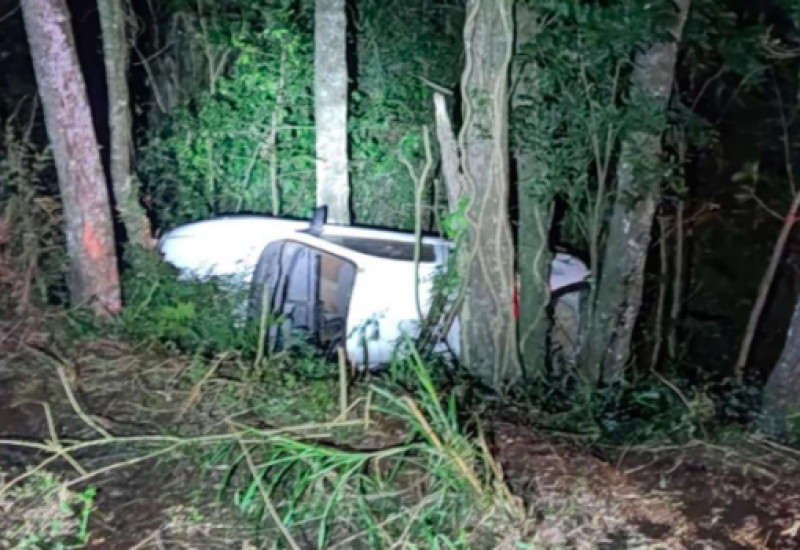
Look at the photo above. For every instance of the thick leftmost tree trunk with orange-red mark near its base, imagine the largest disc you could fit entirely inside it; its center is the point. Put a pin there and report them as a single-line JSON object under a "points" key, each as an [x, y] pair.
{"points": [[89, 231]]}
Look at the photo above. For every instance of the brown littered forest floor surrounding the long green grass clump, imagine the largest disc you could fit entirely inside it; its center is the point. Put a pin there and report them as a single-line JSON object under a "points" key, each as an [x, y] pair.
{"points": [[113, 417]]}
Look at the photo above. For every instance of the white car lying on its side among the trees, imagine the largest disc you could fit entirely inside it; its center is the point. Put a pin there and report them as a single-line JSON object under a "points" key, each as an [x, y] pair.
{"points": [[339, 285]]}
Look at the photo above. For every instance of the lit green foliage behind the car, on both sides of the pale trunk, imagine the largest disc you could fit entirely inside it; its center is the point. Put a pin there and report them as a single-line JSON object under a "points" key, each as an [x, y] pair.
{"points": [[230, 129]]}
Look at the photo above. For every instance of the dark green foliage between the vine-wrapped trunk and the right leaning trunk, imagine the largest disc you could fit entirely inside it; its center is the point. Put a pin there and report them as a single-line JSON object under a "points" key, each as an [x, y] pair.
{"points": [[583, 107]]}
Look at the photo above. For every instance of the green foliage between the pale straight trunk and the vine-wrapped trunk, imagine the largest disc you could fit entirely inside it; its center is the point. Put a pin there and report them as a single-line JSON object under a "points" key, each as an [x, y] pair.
{"points": [[405, 50]]}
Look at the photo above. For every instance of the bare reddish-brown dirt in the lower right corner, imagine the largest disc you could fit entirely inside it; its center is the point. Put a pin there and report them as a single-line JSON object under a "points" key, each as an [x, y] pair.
{"points": [[697, 496]]}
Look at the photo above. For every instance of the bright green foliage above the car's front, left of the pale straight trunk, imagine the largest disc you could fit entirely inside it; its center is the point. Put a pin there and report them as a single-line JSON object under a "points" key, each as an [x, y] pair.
{"points": [[241, 139]]}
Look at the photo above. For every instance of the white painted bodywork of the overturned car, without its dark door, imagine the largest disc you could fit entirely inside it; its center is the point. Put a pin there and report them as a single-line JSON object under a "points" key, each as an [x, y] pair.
{"points": [[383, 303]]}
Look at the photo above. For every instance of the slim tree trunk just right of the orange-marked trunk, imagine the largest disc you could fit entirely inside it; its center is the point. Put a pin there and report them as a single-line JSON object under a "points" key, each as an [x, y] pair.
{"points": [[116, 57]]}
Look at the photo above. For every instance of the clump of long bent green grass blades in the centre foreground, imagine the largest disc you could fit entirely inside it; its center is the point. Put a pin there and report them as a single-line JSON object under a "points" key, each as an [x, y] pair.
{"points": [[437, 488]]}
